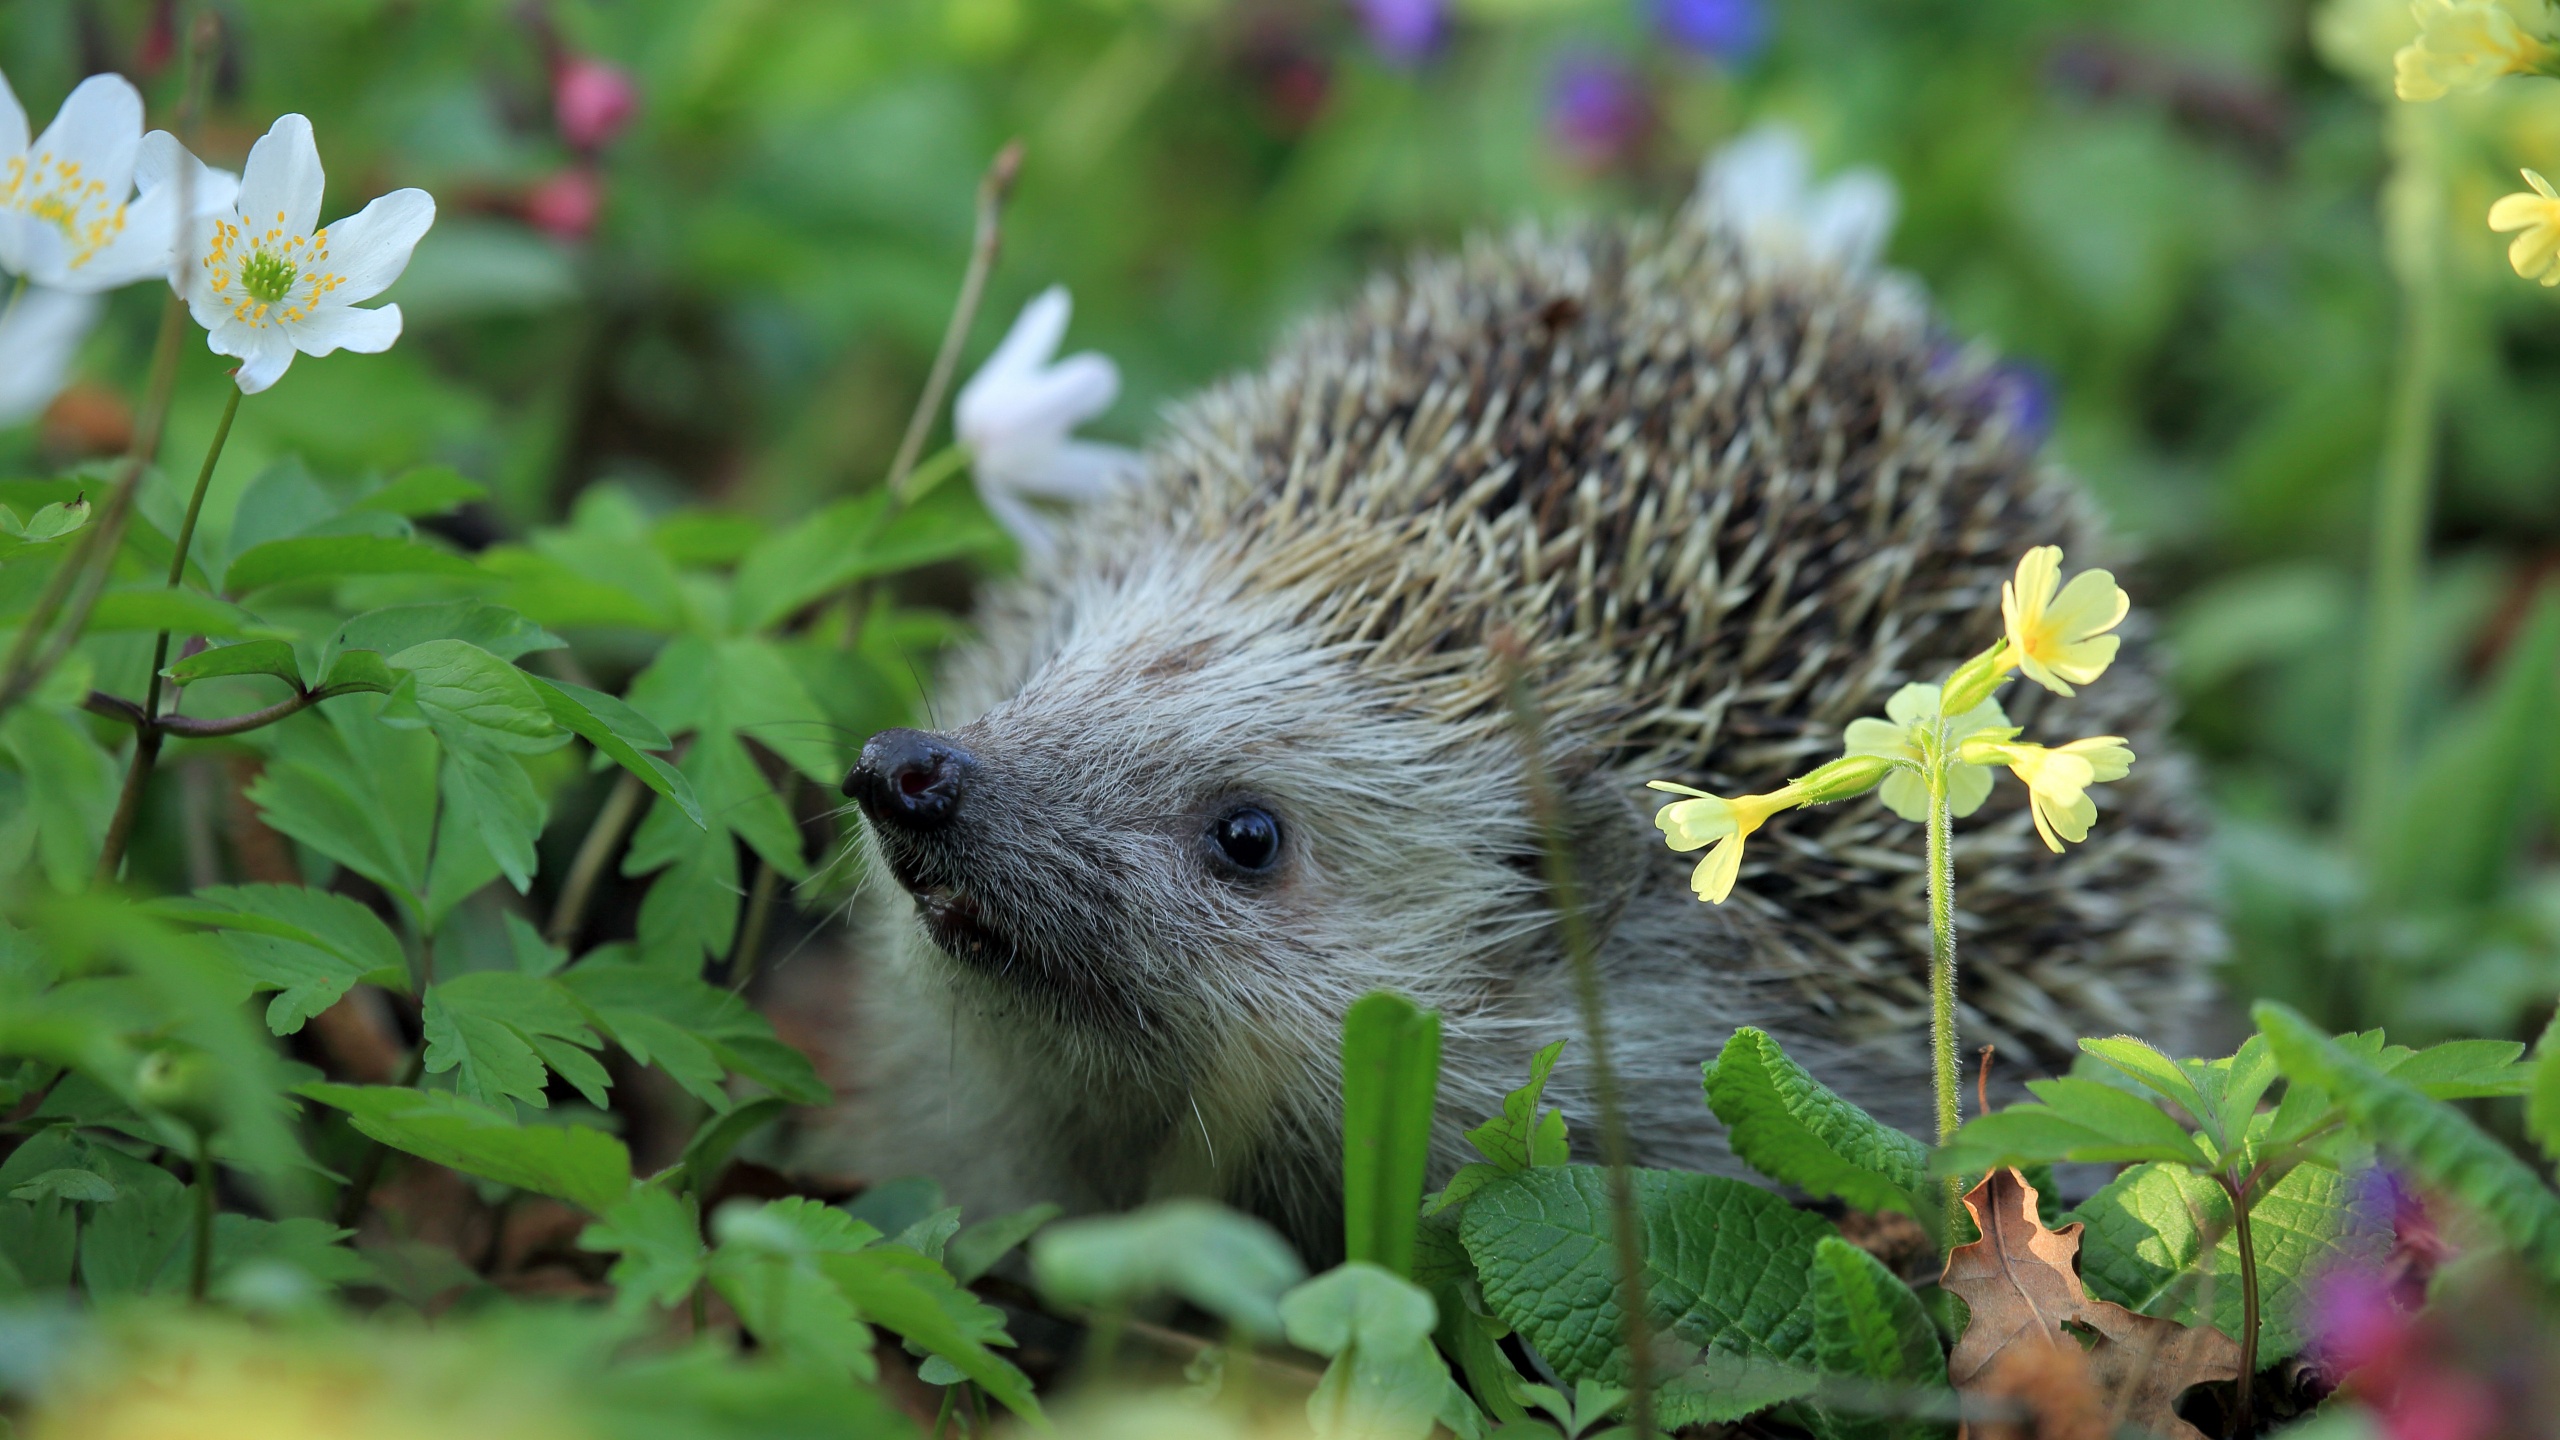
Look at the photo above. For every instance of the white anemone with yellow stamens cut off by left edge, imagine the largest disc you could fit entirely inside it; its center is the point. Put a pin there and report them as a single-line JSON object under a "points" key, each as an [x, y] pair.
{"points": [[68, 209]]}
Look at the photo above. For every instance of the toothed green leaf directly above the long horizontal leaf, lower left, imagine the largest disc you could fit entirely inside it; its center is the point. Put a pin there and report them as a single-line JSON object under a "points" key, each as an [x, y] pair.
{"points": [[500, 1029]]}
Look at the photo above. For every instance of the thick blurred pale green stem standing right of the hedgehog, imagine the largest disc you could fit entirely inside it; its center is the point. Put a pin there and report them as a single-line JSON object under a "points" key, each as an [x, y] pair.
{"points": [[2413, 227]]}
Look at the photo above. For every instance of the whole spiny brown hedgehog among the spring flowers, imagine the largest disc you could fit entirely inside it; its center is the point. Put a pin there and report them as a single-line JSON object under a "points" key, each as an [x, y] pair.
{"points": [[1238, 752]]}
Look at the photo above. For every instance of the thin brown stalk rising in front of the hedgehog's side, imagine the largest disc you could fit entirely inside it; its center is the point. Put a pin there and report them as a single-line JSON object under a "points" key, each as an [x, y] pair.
{"points": [[1581, 949]]}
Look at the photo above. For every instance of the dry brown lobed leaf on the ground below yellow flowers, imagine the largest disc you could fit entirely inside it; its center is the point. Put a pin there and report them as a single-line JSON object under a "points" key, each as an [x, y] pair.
{"points": [[2024, 1290]]}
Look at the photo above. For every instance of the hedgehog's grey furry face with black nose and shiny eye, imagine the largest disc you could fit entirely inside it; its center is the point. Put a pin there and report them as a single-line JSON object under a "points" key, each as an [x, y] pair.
{"points": [[1181, 819]]}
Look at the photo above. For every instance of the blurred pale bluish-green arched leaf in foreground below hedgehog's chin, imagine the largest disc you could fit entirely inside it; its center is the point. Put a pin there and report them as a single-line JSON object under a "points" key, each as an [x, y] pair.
{"points": [[1228, 1264]]}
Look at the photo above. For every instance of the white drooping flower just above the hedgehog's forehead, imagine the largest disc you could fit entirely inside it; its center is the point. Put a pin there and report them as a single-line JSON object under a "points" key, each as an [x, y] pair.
{"points": [[1018, 421]]}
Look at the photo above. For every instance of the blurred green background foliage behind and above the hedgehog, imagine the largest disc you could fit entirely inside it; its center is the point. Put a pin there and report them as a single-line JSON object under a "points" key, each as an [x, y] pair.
{"points": [[2164, 211]]}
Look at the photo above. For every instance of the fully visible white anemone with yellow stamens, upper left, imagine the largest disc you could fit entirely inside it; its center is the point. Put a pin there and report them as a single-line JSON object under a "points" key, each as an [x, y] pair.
{"points": [[268, 281]]}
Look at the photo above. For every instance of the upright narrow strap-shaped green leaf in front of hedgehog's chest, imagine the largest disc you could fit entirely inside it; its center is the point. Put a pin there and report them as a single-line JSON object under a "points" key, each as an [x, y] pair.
{"points": [[1389, 1085]]}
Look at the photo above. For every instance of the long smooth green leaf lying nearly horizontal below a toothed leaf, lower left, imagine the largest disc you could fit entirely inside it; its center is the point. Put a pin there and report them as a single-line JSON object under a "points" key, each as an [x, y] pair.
{"points": [[564, 1162]]}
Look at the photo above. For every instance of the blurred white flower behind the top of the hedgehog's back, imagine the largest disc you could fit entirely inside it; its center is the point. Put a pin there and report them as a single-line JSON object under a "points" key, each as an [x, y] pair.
{"points": [[1763, 188]]}
